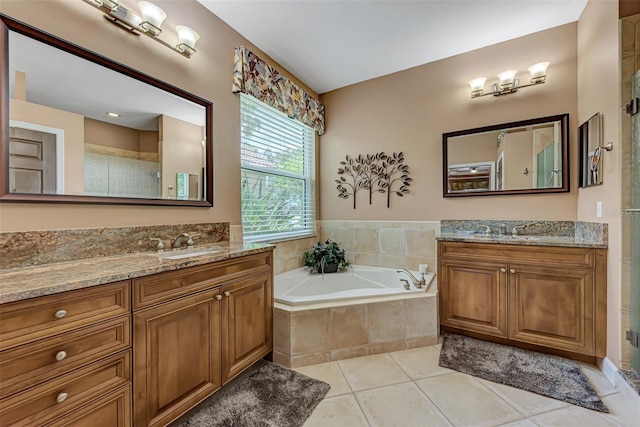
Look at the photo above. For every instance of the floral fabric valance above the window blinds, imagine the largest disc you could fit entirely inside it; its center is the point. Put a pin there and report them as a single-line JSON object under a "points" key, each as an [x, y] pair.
{"points": [[253, 76]]}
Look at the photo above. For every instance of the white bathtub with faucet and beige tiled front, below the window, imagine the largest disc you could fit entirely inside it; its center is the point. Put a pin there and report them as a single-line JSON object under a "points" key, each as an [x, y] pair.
{"points": [[352, 313]]}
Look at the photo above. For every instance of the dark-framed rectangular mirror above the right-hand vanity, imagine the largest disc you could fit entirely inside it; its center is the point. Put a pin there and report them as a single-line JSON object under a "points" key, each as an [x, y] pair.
{"points": [[528, 156]]}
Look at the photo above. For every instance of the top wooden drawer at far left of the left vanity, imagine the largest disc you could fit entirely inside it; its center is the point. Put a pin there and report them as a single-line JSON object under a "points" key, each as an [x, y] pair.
{"points": [[28, 320]]}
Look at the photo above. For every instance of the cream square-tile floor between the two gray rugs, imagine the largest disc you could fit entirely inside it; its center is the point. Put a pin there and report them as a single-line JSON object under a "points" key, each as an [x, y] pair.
{"points": [[407, 388]]}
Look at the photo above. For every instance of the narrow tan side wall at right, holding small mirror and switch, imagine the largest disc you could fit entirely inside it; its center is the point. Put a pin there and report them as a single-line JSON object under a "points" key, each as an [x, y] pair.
{"points": [[598, 91]]}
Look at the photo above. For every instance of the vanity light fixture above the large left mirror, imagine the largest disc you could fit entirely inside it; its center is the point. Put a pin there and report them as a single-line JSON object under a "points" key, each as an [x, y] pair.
{"points": [[149, 22]]}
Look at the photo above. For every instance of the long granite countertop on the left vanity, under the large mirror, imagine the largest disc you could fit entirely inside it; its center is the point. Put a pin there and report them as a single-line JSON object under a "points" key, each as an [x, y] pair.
{"points": [[28, 282]]}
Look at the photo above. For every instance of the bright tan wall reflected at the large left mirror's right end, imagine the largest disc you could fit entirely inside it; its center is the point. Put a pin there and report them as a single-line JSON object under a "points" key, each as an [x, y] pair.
{"points": [[181, 151]]}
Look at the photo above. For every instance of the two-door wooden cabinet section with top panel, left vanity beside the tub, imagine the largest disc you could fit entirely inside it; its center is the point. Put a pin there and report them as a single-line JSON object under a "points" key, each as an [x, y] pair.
{"points": [[195, 329]]}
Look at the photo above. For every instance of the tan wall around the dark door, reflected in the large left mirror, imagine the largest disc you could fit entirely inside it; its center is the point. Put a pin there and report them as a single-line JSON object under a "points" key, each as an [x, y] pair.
{"points": [[73, 126]]}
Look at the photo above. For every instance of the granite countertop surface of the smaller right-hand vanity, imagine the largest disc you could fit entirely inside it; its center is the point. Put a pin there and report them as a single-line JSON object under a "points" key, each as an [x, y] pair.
{"points": [[528, 240]]}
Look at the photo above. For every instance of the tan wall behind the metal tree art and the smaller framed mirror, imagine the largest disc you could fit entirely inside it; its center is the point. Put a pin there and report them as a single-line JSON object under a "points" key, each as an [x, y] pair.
{"points": [[408, 111]]}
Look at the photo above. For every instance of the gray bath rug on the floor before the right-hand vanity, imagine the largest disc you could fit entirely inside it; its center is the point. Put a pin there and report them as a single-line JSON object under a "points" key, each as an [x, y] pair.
{"points": [[550, 376]]}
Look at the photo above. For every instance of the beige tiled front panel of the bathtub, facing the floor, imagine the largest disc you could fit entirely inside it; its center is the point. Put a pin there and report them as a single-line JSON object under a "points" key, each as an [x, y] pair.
{"points": [[342, 331]]}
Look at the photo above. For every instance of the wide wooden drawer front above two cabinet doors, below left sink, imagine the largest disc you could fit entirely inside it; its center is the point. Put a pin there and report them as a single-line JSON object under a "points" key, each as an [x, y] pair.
{"points": [[166, 286]]}
